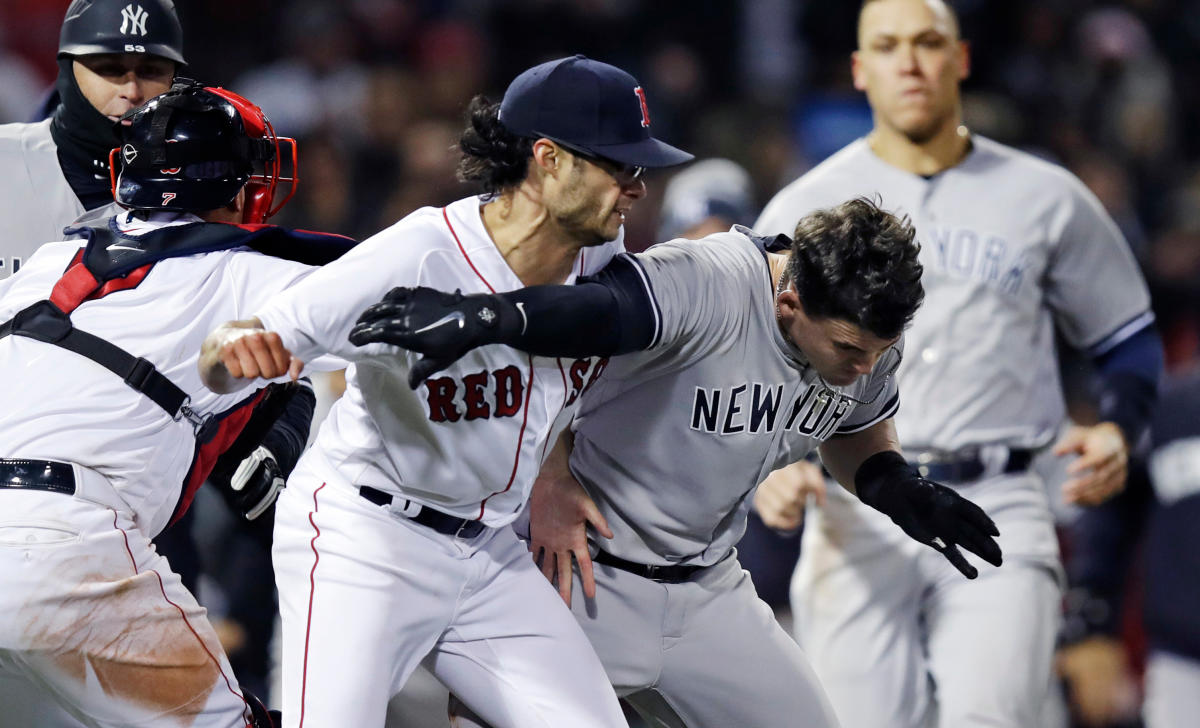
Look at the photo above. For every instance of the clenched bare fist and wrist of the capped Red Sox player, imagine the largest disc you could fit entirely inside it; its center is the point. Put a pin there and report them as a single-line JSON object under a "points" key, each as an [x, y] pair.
{"points": [[243, 351]]}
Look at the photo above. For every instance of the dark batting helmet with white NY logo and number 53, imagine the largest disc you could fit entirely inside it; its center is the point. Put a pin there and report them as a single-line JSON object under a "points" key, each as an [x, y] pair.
{"points": [[123, 27]]}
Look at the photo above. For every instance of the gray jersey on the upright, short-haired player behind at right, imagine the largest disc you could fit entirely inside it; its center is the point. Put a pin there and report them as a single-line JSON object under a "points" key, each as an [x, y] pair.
{"points": [[1013, 246]]}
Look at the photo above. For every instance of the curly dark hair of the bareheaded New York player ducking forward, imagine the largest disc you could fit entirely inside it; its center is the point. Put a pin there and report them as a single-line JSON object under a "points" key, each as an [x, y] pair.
{"points": [[857, 263]]}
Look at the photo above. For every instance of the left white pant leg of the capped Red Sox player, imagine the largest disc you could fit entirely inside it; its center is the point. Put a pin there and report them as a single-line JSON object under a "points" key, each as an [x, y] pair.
{"points": [[364, 595]]}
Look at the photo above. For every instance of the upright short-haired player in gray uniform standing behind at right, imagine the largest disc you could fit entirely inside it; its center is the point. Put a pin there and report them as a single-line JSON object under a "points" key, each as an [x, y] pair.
{"points": [[1015, 250]]}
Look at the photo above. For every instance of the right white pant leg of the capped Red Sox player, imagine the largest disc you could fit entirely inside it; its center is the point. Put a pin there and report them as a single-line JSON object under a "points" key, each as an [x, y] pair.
{"points": [[517, 657]]}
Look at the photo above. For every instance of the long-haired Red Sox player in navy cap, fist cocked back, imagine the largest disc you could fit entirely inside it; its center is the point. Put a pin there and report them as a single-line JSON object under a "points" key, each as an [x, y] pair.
{"points": [[392, 544]]}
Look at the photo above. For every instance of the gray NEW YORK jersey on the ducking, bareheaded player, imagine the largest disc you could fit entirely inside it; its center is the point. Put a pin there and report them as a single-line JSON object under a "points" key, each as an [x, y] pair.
{"points": [[670, 442]]}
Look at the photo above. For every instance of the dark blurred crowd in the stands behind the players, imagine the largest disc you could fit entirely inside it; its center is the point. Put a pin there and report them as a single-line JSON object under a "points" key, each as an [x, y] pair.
{"points": [[375, 92]]}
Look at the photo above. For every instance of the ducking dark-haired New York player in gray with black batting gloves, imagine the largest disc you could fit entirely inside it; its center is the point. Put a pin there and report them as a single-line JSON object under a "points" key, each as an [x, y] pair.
{"points": [[781, 356]]}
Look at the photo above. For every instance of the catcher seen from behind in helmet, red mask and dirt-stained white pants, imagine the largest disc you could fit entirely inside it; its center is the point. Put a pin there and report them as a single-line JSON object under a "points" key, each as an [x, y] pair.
{"points": [[109, 431]]}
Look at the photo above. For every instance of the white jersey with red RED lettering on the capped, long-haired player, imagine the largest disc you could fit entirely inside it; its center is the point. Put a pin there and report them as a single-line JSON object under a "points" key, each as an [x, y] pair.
{"points": [[471, 440]]}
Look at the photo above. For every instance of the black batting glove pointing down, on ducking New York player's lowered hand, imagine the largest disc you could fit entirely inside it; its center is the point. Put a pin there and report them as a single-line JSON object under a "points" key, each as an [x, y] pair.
{"points": [[928, 512]]}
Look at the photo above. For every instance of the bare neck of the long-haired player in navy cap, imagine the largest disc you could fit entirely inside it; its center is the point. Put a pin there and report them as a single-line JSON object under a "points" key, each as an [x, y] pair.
{"points": [[530, 244]]}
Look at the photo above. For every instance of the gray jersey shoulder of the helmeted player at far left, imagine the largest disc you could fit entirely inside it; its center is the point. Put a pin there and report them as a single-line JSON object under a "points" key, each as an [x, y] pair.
{"points": [[37, 202]]}
